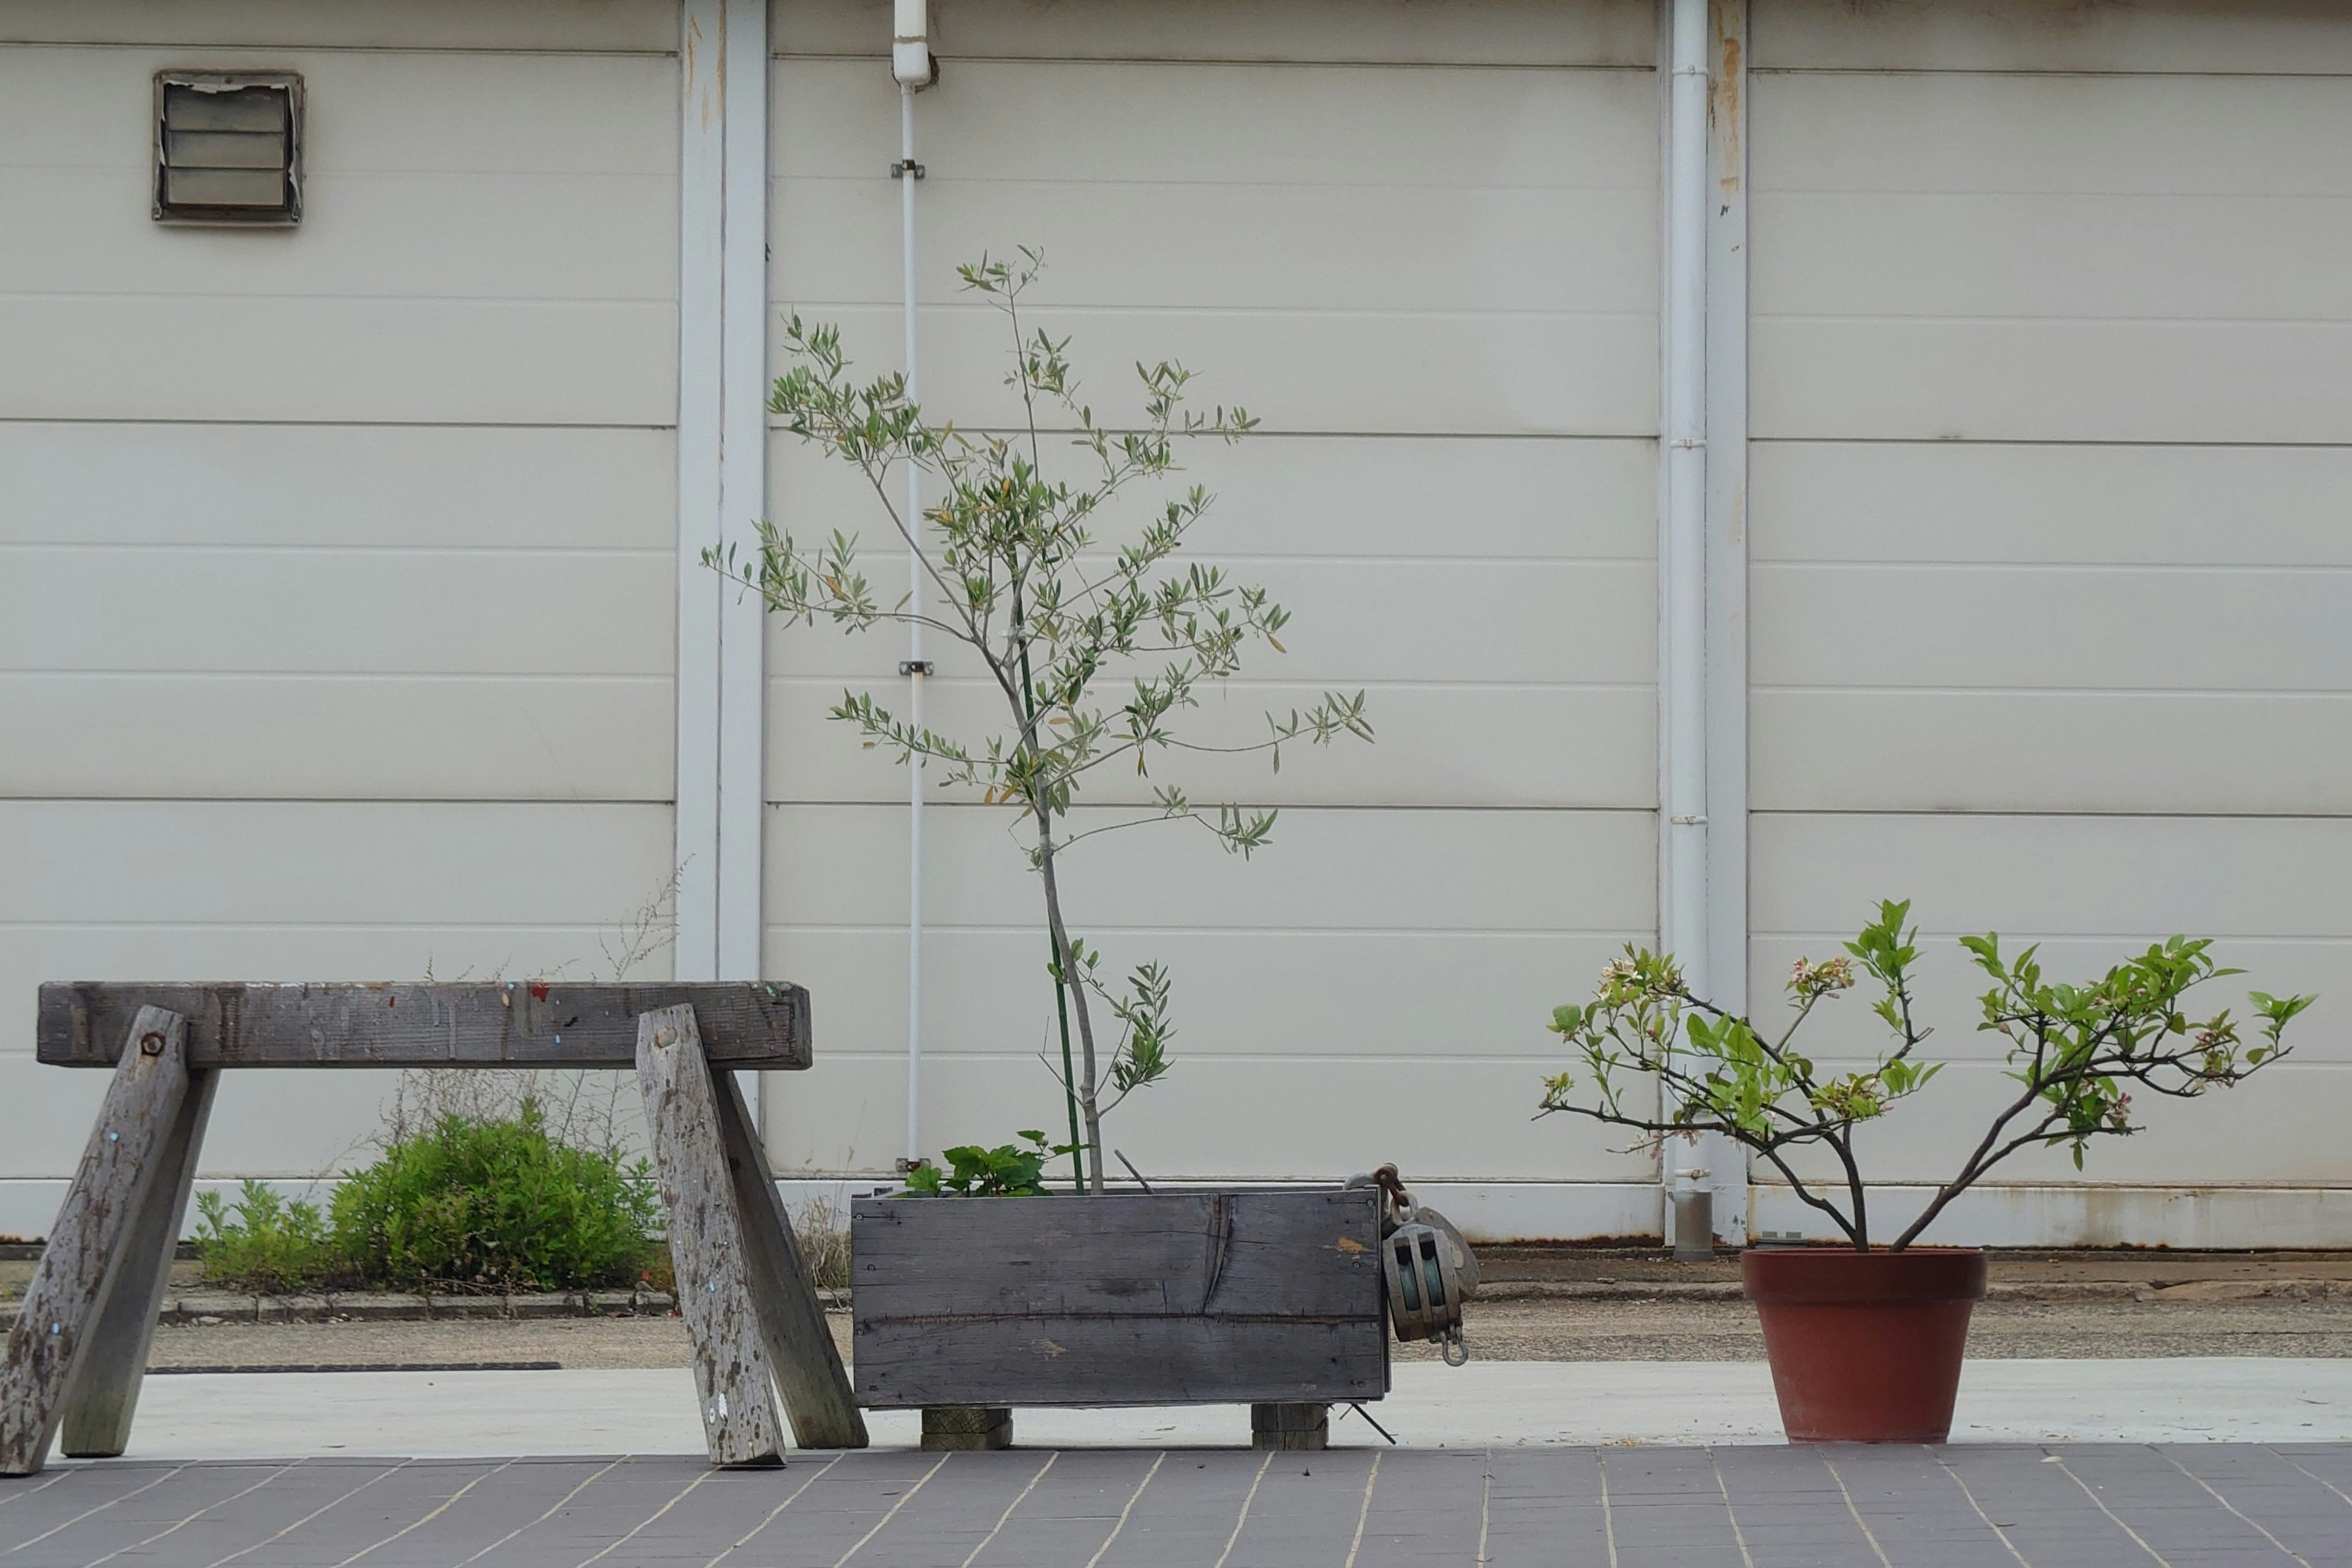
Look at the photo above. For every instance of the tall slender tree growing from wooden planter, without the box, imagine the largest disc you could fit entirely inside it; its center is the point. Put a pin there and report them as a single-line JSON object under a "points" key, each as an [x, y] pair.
{"points": [[1088, 634]]}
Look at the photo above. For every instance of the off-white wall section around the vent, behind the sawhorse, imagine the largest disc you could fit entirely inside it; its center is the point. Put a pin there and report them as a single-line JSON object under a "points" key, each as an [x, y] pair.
{"points": [[335, 565]]}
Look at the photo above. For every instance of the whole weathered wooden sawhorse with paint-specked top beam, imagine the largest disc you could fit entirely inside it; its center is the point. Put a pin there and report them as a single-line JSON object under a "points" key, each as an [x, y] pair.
{"points": [[79, 1351]]}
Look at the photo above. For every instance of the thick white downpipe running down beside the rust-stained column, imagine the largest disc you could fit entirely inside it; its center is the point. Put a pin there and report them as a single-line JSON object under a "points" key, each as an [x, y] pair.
{"points": [[1683, 730]]}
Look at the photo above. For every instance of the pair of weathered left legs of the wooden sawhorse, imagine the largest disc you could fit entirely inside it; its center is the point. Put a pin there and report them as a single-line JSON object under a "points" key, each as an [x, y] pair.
{"points": [[81, 1339]]}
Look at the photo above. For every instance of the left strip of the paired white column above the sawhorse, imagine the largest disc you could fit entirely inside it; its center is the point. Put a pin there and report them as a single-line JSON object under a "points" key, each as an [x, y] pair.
{"points": [[702, 182]]}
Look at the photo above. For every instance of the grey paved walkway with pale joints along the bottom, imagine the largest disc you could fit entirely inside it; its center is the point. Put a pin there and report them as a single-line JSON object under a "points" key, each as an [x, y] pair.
{"points": [[1384, 1508]]}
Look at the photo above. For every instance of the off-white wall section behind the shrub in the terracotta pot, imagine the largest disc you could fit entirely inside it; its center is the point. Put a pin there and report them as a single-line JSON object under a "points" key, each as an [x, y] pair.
{"points": [[2052, 349]]}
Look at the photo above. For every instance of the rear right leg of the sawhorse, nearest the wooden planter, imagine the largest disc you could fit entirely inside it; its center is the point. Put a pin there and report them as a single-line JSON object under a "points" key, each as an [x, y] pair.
{"points": [[810, 1376]]}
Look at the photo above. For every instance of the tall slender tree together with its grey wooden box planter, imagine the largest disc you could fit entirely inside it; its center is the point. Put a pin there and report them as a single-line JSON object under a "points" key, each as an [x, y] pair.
{"points": [[1093, 645]]}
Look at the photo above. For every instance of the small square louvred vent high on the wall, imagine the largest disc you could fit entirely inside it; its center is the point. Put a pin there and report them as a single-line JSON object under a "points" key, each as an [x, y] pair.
{"points": [[227, 149]]}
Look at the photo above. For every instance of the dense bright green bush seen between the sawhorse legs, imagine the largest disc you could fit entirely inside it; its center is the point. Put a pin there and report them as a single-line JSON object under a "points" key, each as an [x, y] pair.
{"points": [[497, 1205]]}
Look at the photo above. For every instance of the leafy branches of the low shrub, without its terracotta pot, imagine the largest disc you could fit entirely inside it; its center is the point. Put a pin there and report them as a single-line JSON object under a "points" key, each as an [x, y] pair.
{"points": [[2076, 1054]]}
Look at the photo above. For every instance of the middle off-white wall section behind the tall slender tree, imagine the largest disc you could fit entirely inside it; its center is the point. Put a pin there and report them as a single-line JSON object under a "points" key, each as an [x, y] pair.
{"points": [[1422, 243]]}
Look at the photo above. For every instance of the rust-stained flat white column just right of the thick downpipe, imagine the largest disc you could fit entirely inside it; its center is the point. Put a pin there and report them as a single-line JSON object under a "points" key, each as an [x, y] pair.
{"points": [[1728, 558]]}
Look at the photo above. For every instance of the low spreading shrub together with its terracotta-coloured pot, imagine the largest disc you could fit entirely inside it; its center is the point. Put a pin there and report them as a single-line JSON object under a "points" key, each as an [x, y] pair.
{"points": [[1866, 1341]]}
